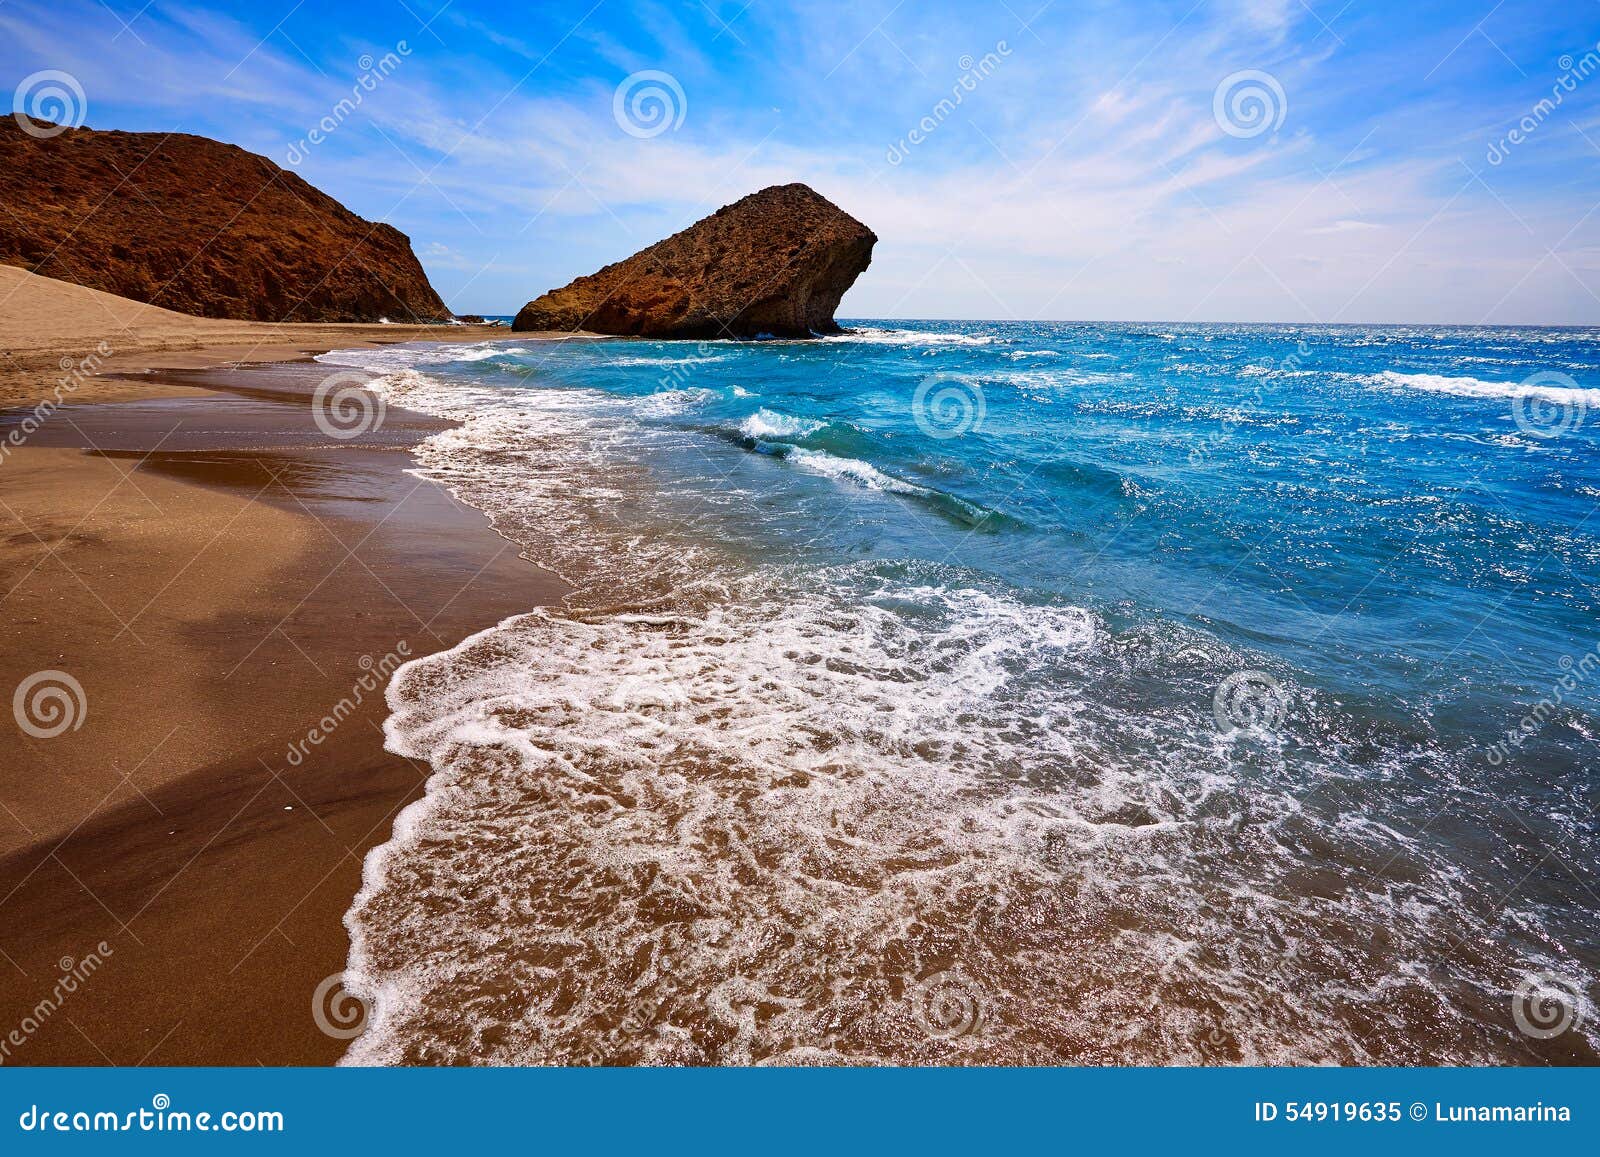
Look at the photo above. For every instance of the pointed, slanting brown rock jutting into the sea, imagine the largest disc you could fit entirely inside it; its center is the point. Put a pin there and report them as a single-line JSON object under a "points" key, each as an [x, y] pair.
{"points": [[777, 263]]}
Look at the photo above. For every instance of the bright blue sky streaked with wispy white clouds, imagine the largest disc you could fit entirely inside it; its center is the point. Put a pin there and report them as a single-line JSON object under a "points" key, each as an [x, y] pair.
{"points": [[1087, 170]]}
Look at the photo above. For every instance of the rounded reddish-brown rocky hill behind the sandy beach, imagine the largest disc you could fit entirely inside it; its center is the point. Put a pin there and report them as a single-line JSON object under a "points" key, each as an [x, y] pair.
{"points": [[202, 228]]}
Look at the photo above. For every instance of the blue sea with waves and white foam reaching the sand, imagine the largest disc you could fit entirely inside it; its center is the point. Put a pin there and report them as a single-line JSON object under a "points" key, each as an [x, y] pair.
{"points": [[972, 692]]}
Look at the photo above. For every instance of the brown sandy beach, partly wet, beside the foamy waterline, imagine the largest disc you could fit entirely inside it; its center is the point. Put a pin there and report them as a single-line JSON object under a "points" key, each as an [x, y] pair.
{"points": [[212, 570]]}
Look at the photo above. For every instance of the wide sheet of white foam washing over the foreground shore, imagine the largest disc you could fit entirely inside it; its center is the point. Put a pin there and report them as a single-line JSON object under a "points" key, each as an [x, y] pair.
{"points": [[759, 827]]}
